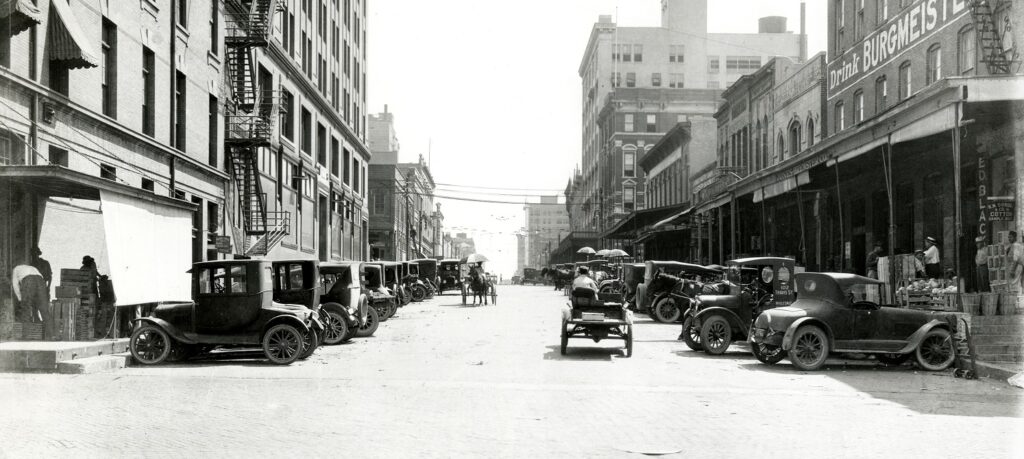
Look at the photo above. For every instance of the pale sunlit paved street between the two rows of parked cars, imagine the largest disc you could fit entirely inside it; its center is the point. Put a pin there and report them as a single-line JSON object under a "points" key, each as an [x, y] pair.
{"points": [[443, 381]]}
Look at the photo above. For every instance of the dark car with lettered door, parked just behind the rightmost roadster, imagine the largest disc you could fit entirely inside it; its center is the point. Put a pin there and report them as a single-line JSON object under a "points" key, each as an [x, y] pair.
{"points": [[714, 322]]}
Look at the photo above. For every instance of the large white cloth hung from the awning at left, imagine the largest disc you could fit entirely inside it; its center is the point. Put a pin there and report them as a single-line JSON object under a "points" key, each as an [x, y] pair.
{"points": [[149, 247]]}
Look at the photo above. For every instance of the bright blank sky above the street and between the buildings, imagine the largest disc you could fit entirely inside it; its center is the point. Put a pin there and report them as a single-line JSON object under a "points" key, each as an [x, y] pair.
{"points": [[489, 94]]}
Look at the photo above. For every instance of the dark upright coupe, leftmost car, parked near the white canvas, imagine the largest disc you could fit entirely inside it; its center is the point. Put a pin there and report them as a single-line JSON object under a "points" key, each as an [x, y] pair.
{"points": [[233, 307]]}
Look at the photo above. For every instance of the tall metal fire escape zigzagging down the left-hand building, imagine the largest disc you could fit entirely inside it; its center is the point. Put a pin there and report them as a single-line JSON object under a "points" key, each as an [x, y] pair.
{"points": [[250, 116]]}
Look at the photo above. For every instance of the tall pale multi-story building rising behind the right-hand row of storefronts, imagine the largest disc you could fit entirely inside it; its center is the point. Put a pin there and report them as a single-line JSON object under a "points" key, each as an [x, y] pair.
{"points": [[679, 55]]}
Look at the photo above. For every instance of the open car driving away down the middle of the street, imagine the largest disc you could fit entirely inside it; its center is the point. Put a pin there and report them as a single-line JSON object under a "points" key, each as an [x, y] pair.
{"points": [[590, 316]]}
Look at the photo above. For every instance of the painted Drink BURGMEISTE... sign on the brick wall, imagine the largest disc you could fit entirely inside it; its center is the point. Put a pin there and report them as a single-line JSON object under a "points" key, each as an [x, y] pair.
{"points": [[911, 27]]}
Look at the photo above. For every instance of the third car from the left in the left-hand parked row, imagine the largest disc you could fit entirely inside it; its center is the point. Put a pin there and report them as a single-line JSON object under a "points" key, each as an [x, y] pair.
{"points": [[346, 299]]}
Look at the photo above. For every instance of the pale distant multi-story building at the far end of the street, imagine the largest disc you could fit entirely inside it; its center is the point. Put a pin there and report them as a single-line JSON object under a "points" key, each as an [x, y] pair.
{"points": [[546, 223]]}
